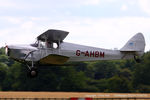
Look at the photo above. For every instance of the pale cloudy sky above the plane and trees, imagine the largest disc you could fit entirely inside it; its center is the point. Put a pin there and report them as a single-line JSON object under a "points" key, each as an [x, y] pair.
{"points": [[100, 23]]}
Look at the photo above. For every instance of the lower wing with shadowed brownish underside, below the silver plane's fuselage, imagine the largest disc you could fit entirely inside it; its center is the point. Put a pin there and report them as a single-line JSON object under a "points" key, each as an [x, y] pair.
{"points": [[54, 59]]}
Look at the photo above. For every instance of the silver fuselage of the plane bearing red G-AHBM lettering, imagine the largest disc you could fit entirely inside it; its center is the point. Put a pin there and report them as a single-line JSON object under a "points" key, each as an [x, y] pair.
{"points": [[74, 52]]}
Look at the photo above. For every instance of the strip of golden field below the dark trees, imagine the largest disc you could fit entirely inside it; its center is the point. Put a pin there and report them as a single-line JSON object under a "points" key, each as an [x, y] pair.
{"points": [[70, 95]]}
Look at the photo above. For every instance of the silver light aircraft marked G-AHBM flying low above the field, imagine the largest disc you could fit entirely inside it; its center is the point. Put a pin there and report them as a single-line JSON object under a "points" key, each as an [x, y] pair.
{"points": [[50, 49]]}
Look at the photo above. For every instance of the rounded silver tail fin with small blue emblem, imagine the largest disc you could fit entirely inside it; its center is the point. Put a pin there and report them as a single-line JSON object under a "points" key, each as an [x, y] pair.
{"points": [[135, 44]]}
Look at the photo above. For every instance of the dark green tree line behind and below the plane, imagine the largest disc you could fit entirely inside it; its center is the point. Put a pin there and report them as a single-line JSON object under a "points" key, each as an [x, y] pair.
{"points": [[123, 76]]}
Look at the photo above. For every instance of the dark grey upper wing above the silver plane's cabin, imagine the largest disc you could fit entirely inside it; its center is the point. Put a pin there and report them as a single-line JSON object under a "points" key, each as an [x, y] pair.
{"points": [[53, 35]]}
